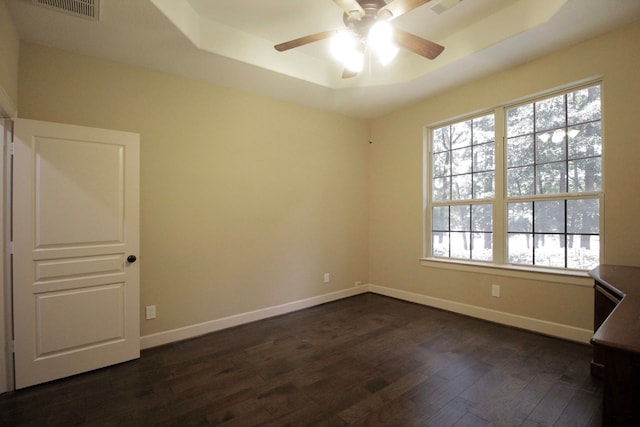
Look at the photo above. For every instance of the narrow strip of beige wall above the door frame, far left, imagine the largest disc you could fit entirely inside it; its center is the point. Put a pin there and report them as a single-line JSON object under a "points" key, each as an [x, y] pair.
{"points": [[9, 51]]}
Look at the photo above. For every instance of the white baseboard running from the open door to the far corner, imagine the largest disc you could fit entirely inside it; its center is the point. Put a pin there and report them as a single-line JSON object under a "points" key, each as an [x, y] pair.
{"points": [[166, 337]]}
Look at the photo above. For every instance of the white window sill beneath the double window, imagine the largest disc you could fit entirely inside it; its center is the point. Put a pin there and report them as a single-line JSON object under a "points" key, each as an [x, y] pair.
{"points": [[569, 277]]}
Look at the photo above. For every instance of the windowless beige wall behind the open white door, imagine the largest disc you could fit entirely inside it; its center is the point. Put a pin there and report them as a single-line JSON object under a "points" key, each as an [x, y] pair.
{"points": [[245, 201]]}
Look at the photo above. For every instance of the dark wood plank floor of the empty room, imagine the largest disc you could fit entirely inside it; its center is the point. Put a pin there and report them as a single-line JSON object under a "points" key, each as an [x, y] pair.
{"points": [[365, 360]]}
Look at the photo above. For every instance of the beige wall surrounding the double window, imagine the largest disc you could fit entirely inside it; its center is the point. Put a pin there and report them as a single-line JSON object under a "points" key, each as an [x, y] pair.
{"points": [[397, 191]]}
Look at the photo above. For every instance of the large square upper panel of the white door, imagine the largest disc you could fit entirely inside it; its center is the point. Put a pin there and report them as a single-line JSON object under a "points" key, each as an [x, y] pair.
{"points": [[90, 175]]}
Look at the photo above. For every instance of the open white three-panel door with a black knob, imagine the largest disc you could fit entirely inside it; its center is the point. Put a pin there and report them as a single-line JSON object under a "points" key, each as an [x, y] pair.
{"points": [[75, 236]]}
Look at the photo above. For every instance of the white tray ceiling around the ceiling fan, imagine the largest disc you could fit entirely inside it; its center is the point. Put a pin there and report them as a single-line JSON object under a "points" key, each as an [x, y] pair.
{"points": [[230, 42]]}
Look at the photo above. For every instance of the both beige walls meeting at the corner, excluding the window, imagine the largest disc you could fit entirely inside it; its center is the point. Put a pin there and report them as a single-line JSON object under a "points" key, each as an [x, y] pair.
{"points": [[246, 201]]}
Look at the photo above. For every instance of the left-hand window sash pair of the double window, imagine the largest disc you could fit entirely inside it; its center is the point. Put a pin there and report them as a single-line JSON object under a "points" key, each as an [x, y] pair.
{"points": [[463, 180]]}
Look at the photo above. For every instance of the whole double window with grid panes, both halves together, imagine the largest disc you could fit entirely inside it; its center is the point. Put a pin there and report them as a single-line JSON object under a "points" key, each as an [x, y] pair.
{"points": [[551, 184]]}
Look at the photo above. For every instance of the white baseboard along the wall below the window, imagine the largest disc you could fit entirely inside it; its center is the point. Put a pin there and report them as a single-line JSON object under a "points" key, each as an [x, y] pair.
{"points": [[536, 325]]}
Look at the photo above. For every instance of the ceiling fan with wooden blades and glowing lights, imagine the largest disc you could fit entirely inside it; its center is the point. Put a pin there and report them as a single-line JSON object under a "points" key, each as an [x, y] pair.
{"points": [[367, 27]]}
